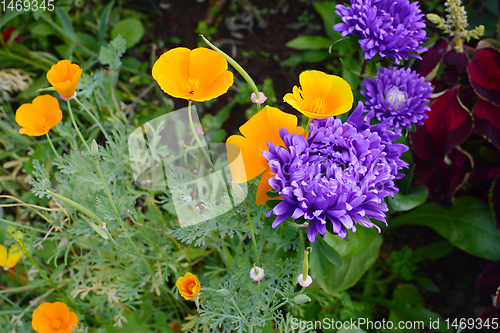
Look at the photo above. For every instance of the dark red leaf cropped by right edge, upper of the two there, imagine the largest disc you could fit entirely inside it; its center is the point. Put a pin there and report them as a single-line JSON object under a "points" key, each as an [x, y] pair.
{"points": [[484, 74]]}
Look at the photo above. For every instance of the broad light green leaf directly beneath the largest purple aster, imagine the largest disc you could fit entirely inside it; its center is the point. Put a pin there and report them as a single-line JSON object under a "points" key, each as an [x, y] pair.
{"points": [[332, 278]]}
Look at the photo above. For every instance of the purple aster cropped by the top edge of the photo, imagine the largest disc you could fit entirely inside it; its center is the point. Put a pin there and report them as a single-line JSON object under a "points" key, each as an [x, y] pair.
{"points": [[392, 28]]}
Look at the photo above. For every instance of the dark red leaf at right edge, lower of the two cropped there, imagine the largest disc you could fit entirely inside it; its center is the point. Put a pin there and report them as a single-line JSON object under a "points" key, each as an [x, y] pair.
{"points": [[487, 121]]}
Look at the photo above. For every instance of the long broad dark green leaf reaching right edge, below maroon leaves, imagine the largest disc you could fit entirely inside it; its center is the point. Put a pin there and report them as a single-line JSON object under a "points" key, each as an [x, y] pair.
{"points": [[469, 225]]}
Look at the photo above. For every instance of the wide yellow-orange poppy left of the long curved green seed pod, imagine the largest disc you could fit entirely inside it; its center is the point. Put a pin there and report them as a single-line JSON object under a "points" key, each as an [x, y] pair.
{"points": [[197, 75]]}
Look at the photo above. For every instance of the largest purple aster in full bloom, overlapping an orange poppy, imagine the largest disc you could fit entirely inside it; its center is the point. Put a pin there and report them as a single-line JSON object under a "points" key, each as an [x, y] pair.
{"points": [[336, 178]]}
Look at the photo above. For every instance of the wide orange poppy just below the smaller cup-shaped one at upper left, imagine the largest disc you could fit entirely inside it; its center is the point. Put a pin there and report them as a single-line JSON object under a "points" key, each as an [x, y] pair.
{"points": [[38, 117]]}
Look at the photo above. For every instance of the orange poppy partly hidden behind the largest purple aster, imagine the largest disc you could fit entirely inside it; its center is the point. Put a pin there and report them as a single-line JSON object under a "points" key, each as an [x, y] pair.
{"points": [[262, 128]]}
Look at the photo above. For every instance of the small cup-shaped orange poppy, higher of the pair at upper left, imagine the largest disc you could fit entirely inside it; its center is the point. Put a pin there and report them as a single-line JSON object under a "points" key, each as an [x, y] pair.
{"points": [[64, 76]]}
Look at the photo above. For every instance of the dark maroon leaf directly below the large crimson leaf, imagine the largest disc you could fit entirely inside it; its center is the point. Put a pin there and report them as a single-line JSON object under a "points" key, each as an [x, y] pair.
{"points": [[443, 176]]}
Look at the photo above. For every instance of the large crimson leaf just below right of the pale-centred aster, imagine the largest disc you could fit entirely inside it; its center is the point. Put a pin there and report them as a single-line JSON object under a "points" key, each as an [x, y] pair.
{"points": [[449, 124]]}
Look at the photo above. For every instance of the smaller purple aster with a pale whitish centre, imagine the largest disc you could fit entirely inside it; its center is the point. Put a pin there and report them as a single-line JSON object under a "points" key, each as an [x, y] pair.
{"points": [[397, 97]]}
